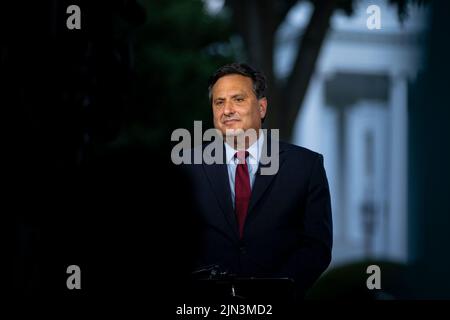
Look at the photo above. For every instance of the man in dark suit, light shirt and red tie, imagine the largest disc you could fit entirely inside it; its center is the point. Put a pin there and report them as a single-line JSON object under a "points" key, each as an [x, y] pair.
{"points": [[255, 224]]}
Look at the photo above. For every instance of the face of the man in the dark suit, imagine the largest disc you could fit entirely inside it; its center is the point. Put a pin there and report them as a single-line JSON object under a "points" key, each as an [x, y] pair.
{"points": [[235, 105]]}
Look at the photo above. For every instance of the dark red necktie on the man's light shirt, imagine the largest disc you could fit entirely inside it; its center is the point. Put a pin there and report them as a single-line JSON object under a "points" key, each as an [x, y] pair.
{"points": [[242, 189]]}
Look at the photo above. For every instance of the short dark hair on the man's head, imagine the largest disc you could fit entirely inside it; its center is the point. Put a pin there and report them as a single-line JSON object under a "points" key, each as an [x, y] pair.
{"points": [[258, 79]]}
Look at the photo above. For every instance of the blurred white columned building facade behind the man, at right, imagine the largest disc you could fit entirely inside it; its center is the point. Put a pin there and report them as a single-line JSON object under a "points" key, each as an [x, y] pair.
{"points": [[356, 113]]}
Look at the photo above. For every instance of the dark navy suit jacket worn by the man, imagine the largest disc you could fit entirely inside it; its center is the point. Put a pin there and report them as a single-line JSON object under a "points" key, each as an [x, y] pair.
{"points": [[288, 229]]}
